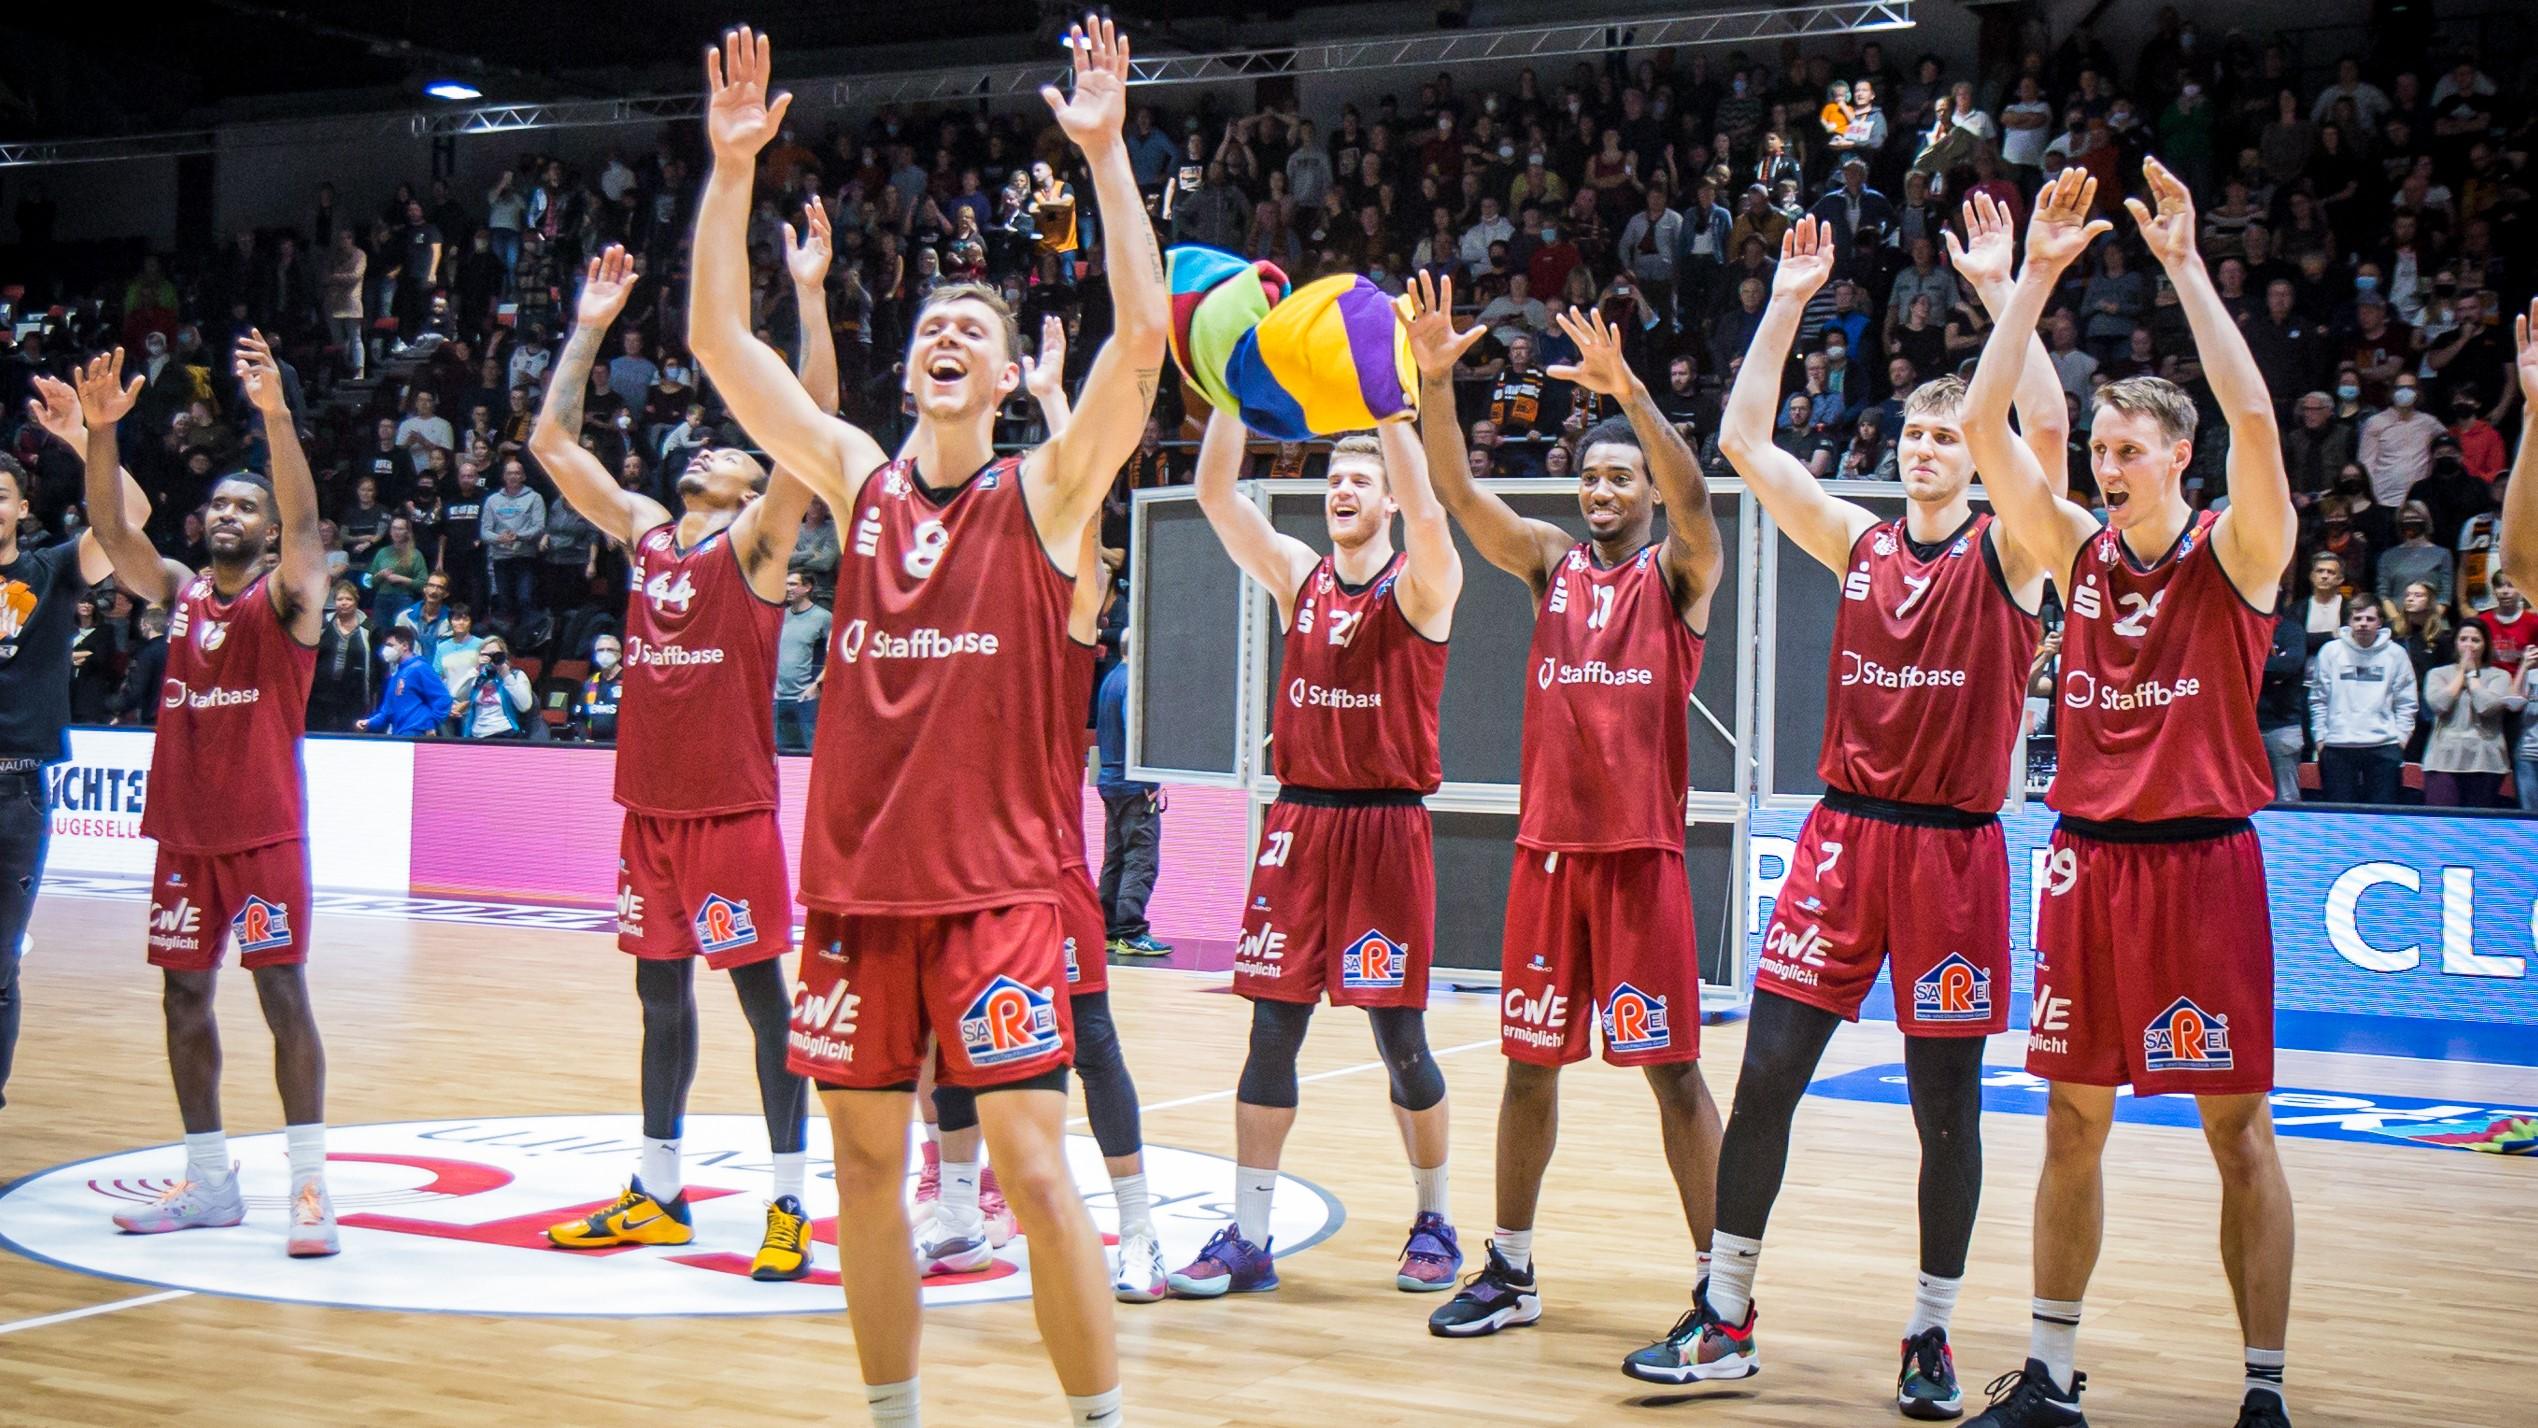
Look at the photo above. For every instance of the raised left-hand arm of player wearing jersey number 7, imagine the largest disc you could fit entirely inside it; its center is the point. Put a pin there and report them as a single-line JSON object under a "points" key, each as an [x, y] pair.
{"points": [[1816, 519]]}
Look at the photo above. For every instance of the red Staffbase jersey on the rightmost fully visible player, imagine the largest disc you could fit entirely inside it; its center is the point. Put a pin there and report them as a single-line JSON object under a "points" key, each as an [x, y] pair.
{"points": [[2159, 691]]}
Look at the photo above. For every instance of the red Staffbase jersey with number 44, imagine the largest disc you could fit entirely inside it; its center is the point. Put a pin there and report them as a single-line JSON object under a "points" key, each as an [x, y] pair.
{"points": [[697, 729]]}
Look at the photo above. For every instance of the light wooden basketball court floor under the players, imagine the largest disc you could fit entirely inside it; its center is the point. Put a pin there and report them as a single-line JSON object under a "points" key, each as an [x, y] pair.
{"points": [[2415, 1300]]}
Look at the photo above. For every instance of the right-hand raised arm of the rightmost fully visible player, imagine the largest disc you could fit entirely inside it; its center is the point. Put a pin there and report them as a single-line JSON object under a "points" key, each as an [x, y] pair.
{"points": [[2258, 531]]}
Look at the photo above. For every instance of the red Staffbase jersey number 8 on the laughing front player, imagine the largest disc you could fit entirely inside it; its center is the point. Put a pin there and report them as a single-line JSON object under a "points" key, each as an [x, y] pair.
{"points": [[945, 661]]}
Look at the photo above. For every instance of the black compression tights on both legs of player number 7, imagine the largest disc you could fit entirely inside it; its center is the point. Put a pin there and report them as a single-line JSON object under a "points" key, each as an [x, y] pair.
{"points": [[1945, 1077]]}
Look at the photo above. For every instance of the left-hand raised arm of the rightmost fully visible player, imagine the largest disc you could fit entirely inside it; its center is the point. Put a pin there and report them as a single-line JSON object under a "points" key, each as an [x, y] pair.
{"points": [[2047, 526]]}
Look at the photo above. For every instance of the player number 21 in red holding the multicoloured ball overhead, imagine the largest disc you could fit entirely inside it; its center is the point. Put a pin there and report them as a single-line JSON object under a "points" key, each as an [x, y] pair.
{"points": [[1344, 892]]}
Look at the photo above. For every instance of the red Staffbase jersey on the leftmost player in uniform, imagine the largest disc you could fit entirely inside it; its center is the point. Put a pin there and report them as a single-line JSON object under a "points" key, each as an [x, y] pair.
{"points": [[225, 772]]}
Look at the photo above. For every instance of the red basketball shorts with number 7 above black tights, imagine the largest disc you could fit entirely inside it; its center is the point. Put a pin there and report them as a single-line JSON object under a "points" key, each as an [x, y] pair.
{"points": [[1869, 889]]}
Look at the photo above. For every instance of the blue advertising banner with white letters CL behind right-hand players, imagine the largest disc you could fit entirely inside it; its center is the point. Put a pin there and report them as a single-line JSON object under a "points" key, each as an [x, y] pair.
{"points": [[2395, 935]]}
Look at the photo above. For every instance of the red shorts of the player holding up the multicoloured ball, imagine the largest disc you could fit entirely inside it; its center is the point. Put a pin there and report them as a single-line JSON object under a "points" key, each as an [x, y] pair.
{"points": [[1344, 904]]}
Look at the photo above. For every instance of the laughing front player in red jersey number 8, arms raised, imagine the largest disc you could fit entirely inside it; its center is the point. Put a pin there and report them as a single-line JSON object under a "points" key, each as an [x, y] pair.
{"points": [[933, 838]]}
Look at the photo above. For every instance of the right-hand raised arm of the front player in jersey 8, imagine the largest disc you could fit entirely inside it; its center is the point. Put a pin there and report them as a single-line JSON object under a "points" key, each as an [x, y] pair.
{"points": [[1070, 473]]}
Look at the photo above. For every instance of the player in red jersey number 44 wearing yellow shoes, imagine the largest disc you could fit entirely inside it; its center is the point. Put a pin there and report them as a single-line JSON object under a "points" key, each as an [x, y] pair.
{"points": [[699, 859]]}
